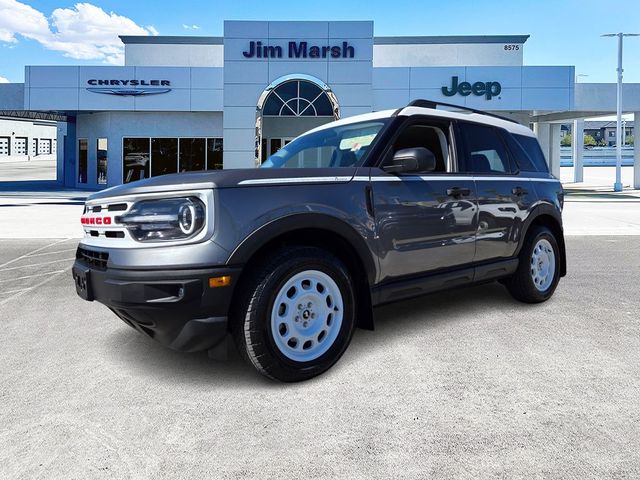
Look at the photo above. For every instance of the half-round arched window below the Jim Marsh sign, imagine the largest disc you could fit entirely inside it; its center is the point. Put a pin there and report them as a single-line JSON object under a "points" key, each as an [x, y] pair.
{"points": [[298, 98]]}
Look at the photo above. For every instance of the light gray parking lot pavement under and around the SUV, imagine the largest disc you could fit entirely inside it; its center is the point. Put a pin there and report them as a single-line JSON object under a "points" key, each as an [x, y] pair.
{"points": [[463, 384]]}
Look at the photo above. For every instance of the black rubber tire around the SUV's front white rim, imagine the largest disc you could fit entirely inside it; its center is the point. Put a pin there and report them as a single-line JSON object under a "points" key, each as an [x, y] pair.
{"points": [[251, 317]]}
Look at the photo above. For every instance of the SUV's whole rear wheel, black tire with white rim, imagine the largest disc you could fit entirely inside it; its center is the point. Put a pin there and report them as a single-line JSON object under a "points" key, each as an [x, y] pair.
{"points": [[538, 269]]}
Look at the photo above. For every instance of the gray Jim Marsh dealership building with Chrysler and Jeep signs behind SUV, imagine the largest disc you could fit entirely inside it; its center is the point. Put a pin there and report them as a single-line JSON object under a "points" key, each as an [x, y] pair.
{"points": [[194, 103]]}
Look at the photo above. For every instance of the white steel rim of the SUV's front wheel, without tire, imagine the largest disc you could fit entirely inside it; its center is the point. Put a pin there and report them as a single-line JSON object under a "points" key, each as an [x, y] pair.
{"points": [[307, 315]]}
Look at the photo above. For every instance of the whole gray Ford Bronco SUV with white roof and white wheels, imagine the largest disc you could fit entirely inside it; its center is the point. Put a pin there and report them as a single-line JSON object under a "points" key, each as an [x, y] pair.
{"points": [[291, 257]]}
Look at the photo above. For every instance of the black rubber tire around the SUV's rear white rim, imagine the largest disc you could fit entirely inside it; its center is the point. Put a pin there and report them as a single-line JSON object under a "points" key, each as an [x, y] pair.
{"points": [[521, 284]]}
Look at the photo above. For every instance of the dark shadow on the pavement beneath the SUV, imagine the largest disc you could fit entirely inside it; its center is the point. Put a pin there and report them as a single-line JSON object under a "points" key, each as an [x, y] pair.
{"points": [[151, 359]]}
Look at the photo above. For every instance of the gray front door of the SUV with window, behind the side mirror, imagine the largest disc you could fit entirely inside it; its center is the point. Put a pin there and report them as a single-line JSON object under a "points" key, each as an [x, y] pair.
{"points": [[425, 221]]}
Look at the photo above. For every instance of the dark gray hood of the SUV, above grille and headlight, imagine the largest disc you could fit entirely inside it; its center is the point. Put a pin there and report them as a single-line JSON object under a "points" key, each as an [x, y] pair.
{"points": [[233, 178]]}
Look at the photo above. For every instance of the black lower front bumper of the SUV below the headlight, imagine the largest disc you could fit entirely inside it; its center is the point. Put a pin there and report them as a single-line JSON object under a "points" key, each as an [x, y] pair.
{"points": [[175, 307]]}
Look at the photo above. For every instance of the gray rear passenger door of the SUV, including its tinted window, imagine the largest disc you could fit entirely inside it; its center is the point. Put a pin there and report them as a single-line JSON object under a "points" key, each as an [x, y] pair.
{"points": [[504, 197]]}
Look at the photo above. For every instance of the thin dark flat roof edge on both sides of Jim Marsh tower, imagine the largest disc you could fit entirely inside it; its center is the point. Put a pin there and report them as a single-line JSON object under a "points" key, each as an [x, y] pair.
{"points": [[415, 40]]}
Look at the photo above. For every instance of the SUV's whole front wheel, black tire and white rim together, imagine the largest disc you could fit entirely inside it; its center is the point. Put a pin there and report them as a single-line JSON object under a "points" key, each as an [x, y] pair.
{"points": [[298, 314]]}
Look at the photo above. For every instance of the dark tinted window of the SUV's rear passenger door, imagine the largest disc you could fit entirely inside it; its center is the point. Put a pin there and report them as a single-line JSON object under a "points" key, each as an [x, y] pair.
{"points": [[485, 151]]}
